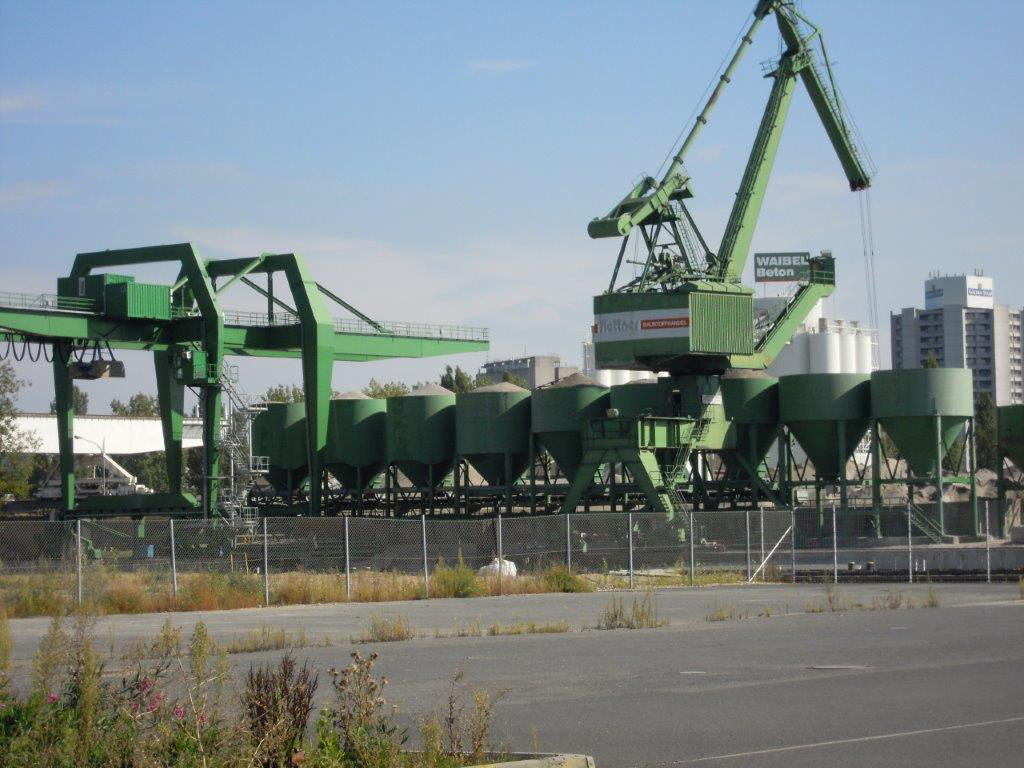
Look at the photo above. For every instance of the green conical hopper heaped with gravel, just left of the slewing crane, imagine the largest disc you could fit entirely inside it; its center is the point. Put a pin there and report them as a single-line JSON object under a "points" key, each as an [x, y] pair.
{"points": [[558, 414]]}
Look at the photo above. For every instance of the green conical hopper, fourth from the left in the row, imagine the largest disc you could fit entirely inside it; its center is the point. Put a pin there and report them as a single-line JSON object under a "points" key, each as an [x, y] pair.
{"points": [[493, 423]]}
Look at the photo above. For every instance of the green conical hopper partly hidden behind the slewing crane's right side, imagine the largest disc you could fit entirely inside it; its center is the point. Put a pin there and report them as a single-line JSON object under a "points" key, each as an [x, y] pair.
{"points": [[750, 398]]}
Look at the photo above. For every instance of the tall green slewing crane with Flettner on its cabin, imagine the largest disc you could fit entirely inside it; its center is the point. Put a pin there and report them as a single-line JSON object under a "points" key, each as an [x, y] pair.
{"points": [[687, 312]]}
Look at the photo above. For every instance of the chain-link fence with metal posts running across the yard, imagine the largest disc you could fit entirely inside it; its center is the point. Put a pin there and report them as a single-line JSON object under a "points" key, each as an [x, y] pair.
{"points": [[86, 559]]}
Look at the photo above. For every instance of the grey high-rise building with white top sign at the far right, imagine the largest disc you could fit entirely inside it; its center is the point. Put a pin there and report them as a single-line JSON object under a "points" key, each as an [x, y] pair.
{"points": [[963, 327]]}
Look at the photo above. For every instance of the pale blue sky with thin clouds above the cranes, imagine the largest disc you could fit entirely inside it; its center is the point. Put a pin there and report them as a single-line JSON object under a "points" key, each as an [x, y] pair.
{"points": [[440, 162]]}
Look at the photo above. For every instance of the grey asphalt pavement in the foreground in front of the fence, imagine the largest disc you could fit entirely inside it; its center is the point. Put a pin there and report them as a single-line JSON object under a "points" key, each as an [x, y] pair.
{"points": [[787, 686]]}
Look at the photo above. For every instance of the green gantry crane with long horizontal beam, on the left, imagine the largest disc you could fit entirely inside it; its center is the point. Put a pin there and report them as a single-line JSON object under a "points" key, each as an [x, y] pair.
{"points": [[190, 335]]}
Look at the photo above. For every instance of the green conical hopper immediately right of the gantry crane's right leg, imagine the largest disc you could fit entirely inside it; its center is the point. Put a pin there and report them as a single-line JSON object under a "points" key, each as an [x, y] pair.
{"points": [[357, 440]]}
